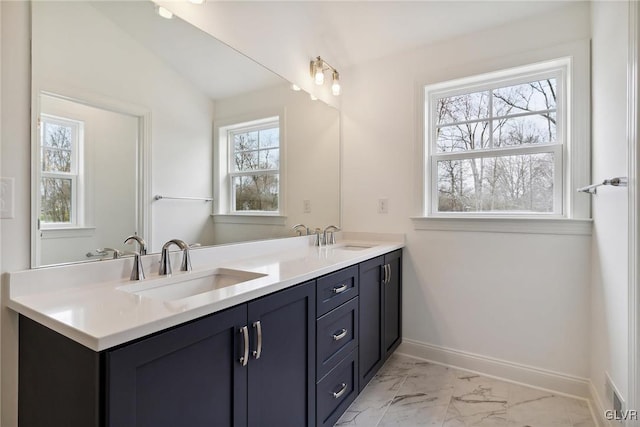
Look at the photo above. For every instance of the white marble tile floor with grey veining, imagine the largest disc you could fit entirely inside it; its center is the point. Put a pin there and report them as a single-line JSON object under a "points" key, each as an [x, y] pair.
{"points": [[409, 392]]}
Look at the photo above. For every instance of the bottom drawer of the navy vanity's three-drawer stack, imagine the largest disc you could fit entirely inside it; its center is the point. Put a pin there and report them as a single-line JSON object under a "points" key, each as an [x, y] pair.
{"points": [[336, 391]]}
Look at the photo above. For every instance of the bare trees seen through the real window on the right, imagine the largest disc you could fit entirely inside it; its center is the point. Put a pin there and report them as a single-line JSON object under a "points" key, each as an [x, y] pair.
{"points": [[482, 154]]}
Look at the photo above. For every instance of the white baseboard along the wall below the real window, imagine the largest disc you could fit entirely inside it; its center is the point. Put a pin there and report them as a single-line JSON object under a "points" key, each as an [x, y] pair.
{"points": [[511, 371]]}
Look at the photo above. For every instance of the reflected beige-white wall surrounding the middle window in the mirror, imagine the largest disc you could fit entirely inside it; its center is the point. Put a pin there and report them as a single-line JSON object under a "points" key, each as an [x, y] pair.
{"points": [[311, 159]]}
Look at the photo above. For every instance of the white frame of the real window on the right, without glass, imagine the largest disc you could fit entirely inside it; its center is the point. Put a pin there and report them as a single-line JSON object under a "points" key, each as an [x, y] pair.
{"points": [[558, 69]]}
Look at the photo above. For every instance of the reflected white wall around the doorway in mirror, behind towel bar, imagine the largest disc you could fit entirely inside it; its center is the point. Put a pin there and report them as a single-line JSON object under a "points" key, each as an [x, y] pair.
{"points": [[93, 58]]}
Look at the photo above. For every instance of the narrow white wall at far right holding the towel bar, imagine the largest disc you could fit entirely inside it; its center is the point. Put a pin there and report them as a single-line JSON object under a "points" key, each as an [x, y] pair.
{"points": [[609, 318]]}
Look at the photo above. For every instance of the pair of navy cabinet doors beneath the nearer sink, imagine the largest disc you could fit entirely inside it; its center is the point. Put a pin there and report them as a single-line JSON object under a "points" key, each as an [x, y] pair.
{"points": [[203, 374]]}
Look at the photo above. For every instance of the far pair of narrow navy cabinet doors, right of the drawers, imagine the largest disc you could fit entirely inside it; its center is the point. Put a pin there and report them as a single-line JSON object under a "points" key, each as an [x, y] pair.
{"points": [[380, 312]]}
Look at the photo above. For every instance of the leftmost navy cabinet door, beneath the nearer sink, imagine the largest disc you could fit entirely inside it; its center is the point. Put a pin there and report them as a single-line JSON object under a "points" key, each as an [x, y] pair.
{"points": [[187, 376]]}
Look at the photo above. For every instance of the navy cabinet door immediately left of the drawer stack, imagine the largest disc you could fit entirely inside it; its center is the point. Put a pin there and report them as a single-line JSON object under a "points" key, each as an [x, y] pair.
{"points": [[282, 368]]}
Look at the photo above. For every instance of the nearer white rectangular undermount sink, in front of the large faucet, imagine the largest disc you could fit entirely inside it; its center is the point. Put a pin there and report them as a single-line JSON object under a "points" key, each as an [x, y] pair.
{"points": [[186, 287]]}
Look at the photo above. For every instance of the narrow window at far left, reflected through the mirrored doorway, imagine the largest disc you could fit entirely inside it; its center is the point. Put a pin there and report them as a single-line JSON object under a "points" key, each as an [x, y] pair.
{"points": [[60, 142]]}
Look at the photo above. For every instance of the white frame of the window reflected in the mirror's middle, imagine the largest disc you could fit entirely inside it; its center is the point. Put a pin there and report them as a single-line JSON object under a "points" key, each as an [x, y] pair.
{"points": [[224, 203]]}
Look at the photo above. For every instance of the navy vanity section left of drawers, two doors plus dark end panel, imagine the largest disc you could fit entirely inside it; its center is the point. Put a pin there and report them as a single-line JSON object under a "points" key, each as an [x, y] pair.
{"points": [[203, 373]]}
